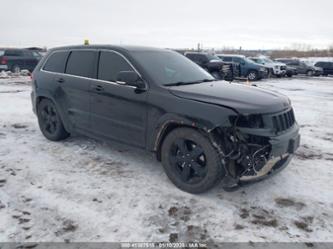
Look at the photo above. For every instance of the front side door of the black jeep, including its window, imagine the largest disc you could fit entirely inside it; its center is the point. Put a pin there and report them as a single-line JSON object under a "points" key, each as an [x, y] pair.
{"points": [[118, 111]]}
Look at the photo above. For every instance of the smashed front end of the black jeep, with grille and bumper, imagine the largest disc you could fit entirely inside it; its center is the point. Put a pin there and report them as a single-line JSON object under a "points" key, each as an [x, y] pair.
{"points": [[257, 146]]}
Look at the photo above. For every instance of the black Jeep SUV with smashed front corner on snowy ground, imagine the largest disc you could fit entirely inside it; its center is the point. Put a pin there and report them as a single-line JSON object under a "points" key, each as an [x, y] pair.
{"points": [[201, 129]]}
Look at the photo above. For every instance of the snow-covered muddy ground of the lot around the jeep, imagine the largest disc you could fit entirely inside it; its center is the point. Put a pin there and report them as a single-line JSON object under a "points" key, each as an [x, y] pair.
{"points": [[86, 190]]}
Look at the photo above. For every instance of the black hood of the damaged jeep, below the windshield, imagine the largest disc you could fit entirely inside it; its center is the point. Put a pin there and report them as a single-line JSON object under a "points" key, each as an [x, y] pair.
{"points": [[242, 98]]}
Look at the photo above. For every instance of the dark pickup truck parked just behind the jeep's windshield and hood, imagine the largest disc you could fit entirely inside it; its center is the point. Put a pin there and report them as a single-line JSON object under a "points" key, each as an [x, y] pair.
{"points": [[214, 65]]}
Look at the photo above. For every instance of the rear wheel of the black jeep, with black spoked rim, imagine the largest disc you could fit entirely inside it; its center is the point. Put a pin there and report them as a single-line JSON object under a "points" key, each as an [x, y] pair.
{"points": [[50, 122]]}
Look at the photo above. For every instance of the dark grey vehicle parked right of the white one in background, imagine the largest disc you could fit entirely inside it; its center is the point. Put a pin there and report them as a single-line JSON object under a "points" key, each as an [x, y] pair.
{"points": [[302, 67]]}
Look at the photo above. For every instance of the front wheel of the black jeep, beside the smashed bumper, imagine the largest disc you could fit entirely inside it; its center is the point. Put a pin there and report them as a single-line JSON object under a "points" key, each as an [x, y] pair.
{"points": [[190, 161]]}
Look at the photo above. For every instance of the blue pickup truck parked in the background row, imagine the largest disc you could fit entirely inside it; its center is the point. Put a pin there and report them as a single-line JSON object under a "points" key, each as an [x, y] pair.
{"points": [[248, 69]]}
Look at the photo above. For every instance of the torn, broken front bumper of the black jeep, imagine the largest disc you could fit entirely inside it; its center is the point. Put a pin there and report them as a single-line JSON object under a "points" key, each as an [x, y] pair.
{"points": [[255, 165]]}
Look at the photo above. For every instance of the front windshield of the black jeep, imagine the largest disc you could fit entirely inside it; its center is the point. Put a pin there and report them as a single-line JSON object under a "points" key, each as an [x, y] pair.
{"points": [[168, 67]]}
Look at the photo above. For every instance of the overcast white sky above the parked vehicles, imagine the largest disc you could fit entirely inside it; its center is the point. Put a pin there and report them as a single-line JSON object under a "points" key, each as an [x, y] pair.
{"points": [[257, 24]]}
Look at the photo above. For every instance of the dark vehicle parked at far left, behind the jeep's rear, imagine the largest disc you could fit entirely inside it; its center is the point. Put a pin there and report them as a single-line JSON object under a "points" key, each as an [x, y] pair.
{"points": [[17, 59]]}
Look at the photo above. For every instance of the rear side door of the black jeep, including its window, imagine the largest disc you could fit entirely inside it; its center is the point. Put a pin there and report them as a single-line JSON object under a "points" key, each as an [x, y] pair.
{"points": [[80, 70]]}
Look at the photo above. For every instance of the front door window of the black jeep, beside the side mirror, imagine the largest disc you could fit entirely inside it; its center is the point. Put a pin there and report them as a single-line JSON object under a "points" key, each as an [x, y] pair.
{"points": [[110, 64]]}
